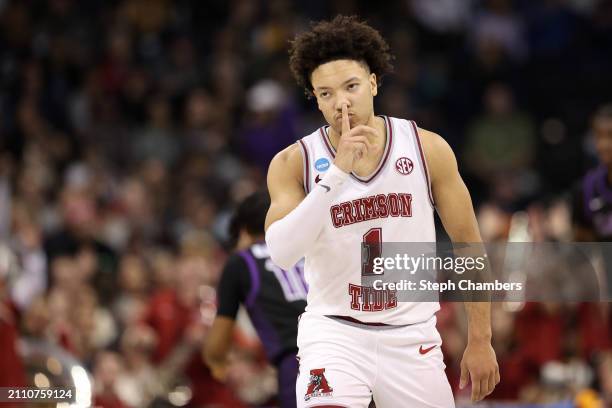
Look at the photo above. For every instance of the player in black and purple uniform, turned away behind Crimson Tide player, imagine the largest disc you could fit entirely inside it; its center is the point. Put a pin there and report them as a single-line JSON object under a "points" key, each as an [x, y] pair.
{"points": [[273, 298]]}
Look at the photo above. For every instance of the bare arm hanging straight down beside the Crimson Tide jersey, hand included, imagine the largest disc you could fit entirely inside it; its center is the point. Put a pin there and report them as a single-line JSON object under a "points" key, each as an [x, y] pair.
{"points": [[454, 206]]}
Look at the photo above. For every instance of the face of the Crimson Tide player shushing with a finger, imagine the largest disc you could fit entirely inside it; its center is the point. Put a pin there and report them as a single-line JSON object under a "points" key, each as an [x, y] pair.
{"points": [[344, 82]]}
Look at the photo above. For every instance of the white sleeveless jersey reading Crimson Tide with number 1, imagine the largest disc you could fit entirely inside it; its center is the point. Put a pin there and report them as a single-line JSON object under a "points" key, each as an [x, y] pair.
{"points": [[393, 204]]}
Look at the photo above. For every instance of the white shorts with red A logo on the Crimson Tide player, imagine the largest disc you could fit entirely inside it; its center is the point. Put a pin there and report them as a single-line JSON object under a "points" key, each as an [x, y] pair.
{"points": [[346, 364]]}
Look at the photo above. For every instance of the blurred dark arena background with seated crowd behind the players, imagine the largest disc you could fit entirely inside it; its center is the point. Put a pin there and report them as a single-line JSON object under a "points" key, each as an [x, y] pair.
{"points": [[130, 129]]}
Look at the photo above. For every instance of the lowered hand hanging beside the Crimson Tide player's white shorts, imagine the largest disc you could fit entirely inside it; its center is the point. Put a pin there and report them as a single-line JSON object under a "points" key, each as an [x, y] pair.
{"points": [[479, 365]]}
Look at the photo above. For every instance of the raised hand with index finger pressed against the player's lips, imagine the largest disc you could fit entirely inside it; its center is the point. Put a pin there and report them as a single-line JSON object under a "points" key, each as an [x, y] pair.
{"points": [[354, 143]]}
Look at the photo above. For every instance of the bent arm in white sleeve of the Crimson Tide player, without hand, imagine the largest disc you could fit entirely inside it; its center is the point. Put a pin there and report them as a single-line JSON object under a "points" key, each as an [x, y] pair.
{"points": [[294, 220]]}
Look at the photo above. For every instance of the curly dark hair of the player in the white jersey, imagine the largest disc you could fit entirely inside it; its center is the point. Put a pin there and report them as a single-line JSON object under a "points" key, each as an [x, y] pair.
{"points": [[344, 37]]}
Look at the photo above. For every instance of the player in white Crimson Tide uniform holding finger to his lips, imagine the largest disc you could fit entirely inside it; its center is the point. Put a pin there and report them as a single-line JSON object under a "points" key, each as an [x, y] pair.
{"points": [[362, 177]]}
